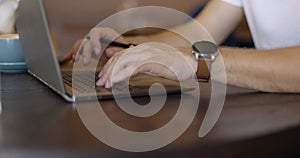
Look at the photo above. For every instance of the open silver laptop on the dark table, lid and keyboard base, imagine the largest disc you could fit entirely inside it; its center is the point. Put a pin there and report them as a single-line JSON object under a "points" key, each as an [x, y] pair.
{"points": [[41, 59]]}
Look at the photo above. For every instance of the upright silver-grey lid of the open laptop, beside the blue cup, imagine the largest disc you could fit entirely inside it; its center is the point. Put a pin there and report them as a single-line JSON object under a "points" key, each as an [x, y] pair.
{"points": [[37, 45]]}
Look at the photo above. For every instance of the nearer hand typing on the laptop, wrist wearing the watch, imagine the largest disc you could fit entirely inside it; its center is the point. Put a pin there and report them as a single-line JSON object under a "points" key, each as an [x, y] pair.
{"points": [[154, 58]]}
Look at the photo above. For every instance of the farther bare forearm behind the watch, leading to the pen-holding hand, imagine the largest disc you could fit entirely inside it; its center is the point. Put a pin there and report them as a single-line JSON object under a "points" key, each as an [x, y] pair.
{"points": [[215, 23]]}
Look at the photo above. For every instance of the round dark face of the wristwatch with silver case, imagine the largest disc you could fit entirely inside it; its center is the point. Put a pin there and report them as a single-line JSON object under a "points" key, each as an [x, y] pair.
{"points": [[205, 49]]}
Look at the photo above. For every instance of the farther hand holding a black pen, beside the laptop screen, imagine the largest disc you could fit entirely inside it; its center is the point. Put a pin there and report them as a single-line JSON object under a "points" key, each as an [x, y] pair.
{"points": [[91, 45]]}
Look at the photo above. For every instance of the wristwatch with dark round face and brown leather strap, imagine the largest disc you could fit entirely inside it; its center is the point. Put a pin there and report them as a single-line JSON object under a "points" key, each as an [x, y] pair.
{"points": [[205, 52]]}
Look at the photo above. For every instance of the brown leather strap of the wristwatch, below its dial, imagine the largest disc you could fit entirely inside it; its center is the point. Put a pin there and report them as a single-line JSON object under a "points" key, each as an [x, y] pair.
{"points": [[203, 71]]}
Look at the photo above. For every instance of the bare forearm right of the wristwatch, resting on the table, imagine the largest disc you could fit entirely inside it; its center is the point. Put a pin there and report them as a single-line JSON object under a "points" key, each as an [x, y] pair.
{"points": [[270, 71]]}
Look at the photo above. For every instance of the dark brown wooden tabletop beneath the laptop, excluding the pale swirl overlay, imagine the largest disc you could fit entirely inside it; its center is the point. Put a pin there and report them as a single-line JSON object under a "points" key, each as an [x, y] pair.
{"points": [[36, 122]]}
